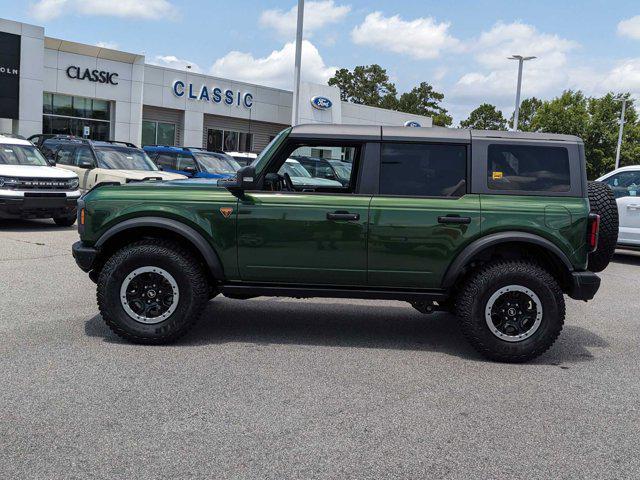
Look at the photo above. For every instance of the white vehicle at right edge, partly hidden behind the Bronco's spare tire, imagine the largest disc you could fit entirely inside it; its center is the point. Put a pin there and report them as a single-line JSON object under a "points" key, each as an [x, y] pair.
{"points": [[625, 183]]}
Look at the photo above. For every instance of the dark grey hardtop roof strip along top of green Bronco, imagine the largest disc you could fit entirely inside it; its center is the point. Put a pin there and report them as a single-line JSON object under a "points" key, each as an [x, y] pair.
{"points": [[441, 134]]}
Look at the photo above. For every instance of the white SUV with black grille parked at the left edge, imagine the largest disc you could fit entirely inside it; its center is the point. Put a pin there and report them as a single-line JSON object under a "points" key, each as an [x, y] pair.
{"points": [[31, 188]]}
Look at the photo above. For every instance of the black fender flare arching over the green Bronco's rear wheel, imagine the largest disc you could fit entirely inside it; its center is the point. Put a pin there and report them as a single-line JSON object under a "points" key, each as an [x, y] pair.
{"points": [[480, 244]]}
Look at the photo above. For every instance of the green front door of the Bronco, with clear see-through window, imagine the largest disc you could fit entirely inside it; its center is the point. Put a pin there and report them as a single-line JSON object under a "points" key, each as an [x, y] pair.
{"points": [[311, 232]]}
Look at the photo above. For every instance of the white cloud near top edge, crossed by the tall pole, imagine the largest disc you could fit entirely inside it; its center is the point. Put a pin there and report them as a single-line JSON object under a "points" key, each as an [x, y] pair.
{"points": [[317, 15]]}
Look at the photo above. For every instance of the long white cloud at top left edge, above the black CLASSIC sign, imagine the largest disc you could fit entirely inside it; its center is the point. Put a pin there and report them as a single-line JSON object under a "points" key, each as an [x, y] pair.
{"points": [[44, 10]]}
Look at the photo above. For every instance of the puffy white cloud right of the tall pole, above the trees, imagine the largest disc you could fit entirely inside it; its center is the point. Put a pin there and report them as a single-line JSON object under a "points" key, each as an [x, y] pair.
{"points": [[422, 38]]}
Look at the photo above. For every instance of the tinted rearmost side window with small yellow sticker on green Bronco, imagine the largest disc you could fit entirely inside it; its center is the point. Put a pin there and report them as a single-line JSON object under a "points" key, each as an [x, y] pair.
{"points": [[528, 168]]}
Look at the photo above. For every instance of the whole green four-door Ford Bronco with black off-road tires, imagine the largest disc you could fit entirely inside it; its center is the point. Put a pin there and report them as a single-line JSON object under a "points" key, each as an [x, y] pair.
{"points": [[495, 227]]}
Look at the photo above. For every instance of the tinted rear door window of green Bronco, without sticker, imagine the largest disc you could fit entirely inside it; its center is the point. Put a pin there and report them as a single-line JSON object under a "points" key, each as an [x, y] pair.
{"points": [[423, 170]]}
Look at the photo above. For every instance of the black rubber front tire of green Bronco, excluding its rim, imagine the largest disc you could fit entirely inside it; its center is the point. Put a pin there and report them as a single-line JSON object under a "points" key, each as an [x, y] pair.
{"points": [[185, 269]]}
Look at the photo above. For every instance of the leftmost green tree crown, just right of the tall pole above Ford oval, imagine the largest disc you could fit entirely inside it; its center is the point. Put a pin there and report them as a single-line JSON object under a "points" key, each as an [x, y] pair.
{"points": [[366, 85]]}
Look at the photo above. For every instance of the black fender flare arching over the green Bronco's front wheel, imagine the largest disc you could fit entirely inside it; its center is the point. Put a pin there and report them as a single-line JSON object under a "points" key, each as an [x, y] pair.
{"points": [[208, 253]]}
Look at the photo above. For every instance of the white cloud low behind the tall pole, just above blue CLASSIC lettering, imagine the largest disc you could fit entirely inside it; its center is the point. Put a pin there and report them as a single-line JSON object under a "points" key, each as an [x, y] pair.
{"points": [[276, 69]]}
